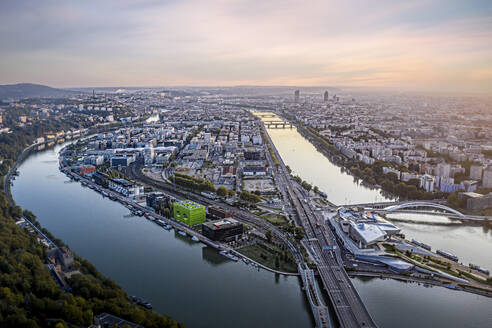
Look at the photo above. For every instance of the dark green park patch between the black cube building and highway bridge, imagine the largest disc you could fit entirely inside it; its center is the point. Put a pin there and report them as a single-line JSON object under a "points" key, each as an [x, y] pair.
{"points": [[268, 254]]}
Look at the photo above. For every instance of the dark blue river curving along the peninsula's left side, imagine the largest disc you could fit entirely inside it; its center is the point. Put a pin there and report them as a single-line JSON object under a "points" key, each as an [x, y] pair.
{"points": [[181, 278]]}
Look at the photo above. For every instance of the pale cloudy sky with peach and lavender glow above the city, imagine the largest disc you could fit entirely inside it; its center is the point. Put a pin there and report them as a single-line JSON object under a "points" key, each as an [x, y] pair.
{"points": [[421, 45]]}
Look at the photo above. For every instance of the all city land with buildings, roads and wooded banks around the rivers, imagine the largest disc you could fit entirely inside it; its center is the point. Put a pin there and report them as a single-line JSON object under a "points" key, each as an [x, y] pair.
{"points": [[201, 161]]}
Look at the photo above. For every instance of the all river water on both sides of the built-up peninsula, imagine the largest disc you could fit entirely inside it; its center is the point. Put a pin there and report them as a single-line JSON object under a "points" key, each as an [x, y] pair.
{"points": [[195, 285]]}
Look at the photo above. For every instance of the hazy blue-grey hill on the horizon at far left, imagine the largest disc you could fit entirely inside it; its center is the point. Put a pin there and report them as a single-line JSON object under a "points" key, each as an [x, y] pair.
{"points": [[30, 90]]}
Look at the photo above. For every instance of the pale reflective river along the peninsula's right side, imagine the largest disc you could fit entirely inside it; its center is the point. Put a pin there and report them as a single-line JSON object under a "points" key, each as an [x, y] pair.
{"points": [[392, 303]]}
